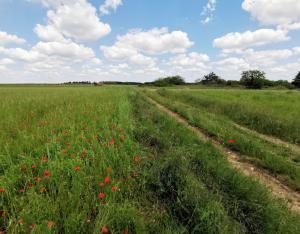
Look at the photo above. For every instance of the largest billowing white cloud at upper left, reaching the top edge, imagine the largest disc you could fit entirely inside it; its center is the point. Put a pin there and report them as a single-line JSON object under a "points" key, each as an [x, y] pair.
{"points": [[76, 20]]}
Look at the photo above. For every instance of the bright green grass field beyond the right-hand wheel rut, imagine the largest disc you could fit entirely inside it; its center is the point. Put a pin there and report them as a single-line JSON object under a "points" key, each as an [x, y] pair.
{"points": [[274, 113]]}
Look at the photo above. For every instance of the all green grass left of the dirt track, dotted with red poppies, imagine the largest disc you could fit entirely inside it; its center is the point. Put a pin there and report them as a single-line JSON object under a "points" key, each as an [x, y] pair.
{"points": [[87, 159]]}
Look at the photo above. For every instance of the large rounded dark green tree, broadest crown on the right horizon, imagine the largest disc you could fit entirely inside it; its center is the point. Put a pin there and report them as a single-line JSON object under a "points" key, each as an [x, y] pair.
{"points": [[253, 79]]}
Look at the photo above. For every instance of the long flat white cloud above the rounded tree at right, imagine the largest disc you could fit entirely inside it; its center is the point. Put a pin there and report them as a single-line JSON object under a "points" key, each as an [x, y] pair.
{"points": [[236, 40]]}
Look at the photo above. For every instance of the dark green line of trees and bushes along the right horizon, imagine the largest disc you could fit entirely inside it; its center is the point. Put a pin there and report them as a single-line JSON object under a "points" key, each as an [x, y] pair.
{"points": [[252, 79]]}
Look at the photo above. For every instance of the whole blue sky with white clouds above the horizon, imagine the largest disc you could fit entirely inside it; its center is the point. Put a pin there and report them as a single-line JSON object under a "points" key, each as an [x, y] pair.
{"points": [[56, 41]]}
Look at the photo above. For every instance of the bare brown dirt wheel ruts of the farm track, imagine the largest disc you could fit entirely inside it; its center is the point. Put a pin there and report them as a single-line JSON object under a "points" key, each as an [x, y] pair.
{"points": [[277, 188]]}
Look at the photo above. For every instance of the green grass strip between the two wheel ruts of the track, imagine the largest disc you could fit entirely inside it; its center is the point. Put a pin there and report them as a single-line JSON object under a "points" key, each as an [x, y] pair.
{"points": [[280, 161]]}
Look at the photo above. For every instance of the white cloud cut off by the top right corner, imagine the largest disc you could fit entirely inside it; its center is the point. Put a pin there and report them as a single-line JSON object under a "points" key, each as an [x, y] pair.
{"points": [[275, 12]]}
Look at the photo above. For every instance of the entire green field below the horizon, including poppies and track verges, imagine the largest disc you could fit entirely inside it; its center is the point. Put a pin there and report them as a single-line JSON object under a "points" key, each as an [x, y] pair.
{"points": [[108, 160]]}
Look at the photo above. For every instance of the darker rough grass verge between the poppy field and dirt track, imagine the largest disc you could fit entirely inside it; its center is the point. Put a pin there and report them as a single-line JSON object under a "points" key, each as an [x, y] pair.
{"points": [[197, 185]]}
